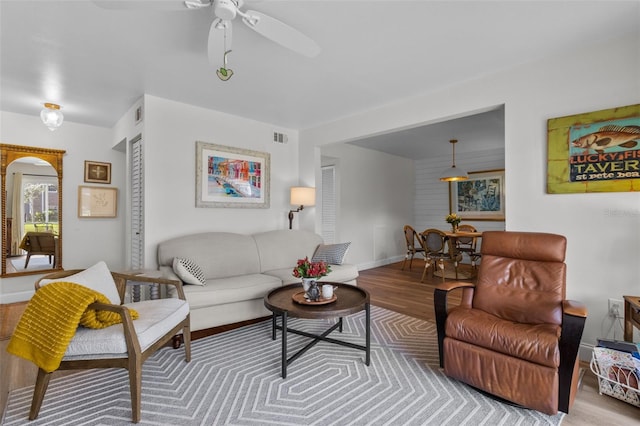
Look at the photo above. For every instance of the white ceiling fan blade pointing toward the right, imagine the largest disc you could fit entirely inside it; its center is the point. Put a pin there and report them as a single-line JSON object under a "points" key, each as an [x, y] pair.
{"points": [[281, 33]]}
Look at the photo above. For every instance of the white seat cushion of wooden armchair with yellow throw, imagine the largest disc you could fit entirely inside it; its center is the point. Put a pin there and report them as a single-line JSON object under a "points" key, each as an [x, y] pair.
{"points": [[157, 318]]}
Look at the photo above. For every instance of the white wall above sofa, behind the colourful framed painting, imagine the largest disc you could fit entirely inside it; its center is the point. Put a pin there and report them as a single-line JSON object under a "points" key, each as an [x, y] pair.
{"points": [[171, 132]]}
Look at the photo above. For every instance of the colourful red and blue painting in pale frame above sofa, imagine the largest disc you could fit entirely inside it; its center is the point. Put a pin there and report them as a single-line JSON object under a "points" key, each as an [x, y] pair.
{"points": [[231, 177]]}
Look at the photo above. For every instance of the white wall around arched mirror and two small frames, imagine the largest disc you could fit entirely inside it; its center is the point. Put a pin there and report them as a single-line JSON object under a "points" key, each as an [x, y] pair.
{"points": [[84, 241]]}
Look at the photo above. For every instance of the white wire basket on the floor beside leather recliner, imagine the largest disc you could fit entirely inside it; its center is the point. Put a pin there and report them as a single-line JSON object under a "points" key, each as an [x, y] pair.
{"points": [[615, 380]]}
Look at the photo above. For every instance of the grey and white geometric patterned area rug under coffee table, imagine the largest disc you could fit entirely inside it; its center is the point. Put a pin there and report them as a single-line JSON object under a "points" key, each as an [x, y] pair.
{"points": [[234, 379]]}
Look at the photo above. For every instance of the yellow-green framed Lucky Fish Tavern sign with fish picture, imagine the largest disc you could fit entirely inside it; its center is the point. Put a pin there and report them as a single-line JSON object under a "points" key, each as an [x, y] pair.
{"points": [[594, 152]]}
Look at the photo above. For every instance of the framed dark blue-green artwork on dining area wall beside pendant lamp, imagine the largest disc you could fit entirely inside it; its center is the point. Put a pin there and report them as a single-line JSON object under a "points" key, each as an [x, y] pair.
{"points": [[481, 197]]}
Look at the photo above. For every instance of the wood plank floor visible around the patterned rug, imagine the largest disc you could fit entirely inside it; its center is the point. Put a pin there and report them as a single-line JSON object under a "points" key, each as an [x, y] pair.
{"points": [[390, 288]]}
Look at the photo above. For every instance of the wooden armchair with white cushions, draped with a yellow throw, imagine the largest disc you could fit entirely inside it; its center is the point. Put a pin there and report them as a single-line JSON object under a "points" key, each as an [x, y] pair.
{"points": [[126, 345]]}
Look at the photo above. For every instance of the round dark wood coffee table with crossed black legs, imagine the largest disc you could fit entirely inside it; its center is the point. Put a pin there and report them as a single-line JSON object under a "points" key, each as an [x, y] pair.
{"points": [[349, 300]]}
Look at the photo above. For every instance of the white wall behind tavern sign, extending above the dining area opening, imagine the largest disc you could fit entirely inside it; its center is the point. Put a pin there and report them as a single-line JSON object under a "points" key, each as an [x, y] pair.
{"points": [[603, 230]]}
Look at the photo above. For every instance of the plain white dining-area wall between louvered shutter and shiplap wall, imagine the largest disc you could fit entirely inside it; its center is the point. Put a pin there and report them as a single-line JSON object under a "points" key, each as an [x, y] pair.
{"points": [[376, 194]]}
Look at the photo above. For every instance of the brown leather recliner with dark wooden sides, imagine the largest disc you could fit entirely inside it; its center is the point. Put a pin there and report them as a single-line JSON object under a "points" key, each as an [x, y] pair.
{"points": [[514, 335]]}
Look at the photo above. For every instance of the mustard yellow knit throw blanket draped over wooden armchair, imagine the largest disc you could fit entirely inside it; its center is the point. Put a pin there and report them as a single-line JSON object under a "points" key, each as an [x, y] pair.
{"points": [[50, 321]]}
